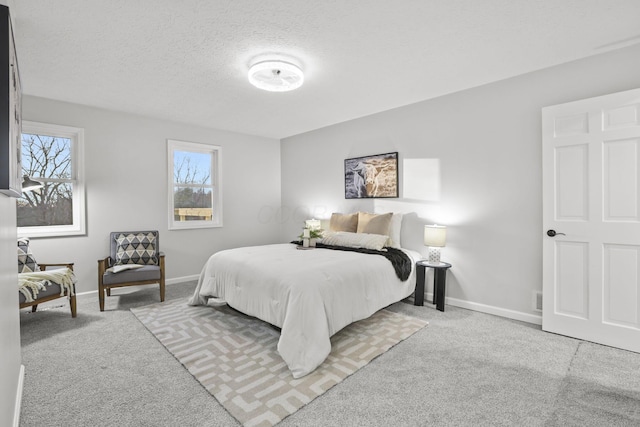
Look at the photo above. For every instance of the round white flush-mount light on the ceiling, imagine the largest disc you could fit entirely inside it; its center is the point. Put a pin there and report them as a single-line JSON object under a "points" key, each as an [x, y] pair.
{"points": [[276, 76]]}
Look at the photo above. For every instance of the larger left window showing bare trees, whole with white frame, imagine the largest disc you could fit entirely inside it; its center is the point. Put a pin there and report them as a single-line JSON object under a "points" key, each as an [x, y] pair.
{"points": [[52, 155]]}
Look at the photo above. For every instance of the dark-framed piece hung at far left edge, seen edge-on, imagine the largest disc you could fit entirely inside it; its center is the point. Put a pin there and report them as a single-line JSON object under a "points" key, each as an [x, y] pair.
{"points": [[10, 111]]}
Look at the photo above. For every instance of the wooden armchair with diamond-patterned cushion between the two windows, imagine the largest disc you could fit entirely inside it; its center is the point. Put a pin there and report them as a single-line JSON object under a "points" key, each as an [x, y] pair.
{"points": [[134, 259]]}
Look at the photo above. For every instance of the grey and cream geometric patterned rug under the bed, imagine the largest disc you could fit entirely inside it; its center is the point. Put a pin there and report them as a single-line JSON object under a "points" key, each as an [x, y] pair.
{"points": [[234, 356]]}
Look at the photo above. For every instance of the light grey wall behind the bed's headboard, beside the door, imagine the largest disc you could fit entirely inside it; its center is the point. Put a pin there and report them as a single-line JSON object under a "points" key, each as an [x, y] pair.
{"points": [[488, 143]]}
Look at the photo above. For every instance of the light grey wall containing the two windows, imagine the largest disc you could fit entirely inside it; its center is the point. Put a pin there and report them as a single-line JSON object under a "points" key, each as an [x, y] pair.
{"points": [[126, 188]]}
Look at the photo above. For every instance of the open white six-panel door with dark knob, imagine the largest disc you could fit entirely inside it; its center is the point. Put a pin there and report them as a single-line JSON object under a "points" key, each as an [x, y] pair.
{"points": [[591, 194]]}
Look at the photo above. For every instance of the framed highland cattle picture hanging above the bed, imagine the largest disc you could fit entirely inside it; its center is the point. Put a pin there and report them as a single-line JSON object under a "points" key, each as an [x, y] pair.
{"points": [[373, 176]]}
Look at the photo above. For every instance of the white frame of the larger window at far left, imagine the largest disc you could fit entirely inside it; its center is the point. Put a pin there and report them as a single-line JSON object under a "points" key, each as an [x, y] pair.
{"points": [[76, 135]]}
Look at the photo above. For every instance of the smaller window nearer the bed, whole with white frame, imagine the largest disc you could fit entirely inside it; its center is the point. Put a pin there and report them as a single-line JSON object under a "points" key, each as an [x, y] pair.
{"points": [[195, 190]]}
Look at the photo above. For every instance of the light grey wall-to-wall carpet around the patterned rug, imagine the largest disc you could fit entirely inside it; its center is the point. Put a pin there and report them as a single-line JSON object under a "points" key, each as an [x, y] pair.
{"points": [[464, 369]]}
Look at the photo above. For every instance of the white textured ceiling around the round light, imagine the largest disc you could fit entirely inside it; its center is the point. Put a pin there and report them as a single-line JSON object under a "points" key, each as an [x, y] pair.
{"points": [[187, 61]]}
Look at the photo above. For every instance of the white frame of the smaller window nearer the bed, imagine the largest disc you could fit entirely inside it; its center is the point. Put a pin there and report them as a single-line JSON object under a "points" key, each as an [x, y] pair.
{"points": [[216, 183]]}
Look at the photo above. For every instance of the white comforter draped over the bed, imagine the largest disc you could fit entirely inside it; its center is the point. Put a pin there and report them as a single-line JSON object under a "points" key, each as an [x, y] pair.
{"points": [[309, 294]]}
